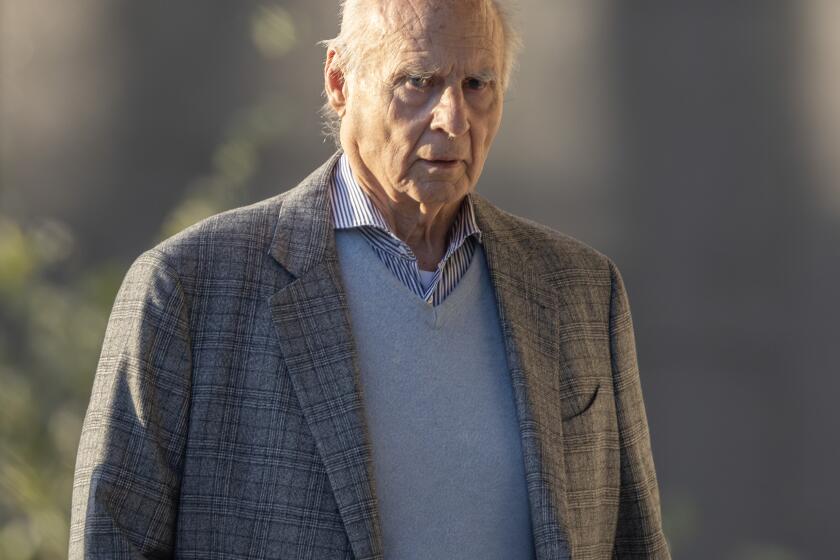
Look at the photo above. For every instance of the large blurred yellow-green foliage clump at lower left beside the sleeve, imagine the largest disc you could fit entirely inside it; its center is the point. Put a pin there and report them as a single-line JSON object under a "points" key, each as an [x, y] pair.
{"points": [[51, 336]]}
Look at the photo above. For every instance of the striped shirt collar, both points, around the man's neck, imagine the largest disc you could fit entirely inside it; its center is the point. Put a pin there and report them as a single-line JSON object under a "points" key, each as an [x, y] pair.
{"points": [[353, 208]]}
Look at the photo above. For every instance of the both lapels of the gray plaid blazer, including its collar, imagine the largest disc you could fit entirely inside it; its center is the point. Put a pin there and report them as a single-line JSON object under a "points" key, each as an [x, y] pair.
{"points": [[311, 318]]}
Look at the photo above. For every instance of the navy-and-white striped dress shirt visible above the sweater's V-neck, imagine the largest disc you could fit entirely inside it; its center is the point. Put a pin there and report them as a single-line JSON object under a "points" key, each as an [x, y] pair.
{"points": [[352, 208]]}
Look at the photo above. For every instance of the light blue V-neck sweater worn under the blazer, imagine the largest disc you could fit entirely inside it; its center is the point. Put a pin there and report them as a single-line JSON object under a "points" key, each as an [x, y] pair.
{"points": [[447, 457]]}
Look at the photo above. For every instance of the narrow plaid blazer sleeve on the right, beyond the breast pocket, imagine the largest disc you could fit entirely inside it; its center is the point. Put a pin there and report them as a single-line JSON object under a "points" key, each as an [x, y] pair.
{"points": [[639, 529]]}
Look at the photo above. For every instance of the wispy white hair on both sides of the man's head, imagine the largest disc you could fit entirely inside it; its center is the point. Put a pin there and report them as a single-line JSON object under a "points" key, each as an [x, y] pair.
{"points": [[360, 27]]}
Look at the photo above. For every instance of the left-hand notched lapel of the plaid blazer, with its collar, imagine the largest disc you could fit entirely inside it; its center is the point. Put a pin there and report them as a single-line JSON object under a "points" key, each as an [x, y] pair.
{"points": [[312, 322]]}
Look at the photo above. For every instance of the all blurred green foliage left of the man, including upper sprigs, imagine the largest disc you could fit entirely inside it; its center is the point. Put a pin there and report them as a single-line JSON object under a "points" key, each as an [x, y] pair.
{"points": [[52, 320]]}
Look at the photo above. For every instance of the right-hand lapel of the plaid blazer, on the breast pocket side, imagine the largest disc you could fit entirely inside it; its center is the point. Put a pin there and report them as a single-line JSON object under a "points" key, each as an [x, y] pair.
{"points": [[530, 317]]}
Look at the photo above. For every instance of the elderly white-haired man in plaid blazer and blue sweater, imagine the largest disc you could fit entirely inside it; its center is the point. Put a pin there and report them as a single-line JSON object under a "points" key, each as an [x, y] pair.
{"points": [[377, 363]]}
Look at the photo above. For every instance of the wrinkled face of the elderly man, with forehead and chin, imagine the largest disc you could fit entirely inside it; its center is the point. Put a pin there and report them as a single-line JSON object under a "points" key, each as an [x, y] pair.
{"points": [[421, 115]]}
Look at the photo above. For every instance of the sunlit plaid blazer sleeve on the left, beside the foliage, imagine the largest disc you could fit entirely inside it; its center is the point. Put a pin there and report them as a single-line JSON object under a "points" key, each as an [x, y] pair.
{"points": [[127, 478]]}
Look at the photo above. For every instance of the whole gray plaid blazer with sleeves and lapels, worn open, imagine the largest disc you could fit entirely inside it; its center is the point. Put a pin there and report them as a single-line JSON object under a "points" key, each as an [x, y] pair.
{"points": [[225, 419]]}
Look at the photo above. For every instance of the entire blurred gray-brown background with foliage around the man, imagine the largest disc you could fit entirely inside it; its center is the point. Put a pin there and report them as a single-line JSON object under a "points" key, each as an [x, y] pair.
{"points": [[696, 143]]}
